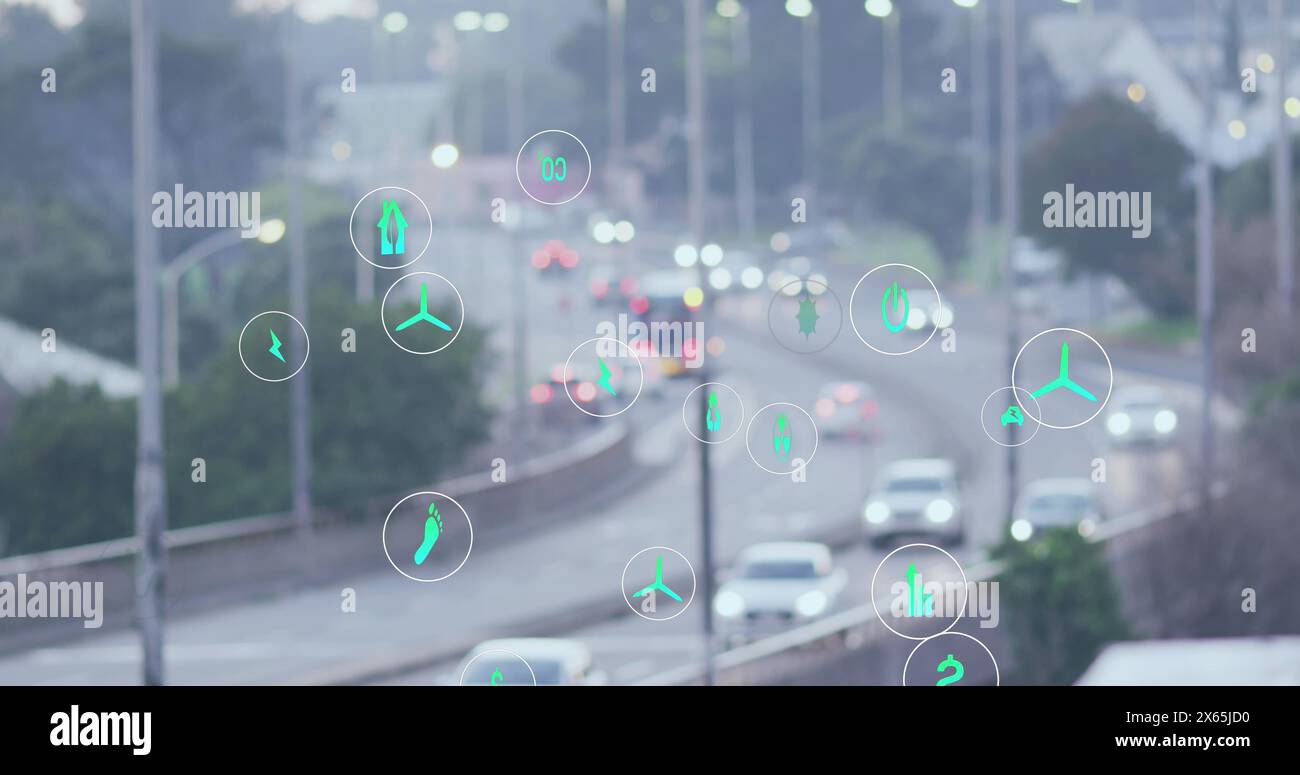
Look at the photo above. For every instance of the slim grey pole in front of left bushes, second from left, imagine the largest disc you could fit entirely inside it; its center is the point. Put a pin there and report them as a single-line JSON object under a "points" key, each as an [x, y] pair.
{"points": [[301, 396]]}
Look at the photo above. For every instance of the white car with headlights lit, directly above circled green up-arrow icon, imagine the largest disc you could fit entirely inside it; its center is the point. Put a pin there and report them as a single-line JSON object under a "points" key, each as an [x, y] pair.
{"points": [[920, 496]]}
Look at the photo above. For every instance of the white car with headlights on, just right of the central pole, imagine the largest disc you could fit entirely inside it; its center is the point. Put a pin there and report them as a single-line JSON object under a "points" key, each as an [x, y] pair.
{"points": [[777, 586]]}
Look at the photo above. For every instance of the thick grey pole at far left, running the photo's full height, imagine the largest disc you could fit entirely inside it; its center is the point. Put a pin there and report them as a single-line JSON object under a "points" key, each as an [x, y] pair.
{"points": [[150, 480]]}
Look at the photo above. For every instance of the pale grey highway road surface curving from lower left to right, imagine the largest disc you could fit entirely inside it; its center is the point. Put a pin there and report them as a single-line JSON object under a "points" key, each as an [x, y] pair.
{"points": [[562, 577]]}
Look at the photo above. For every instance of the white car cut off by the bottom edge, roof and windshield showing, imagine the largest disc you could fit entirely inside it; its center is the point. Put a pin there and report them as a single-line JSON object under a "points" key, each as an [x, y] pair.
{"points": [[556, 663]]}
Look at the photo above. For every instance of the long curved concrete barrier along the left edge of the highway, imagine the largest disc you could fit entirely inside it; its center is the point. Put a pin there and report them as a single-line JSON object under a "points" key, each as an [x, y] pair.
{"points": [[244, 560]]}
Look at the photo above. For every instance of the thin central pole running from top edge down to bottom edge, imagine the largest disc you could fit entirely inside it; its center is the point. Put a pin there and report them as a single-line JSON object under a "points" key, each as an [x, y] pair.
{"points": [[696, 206]]}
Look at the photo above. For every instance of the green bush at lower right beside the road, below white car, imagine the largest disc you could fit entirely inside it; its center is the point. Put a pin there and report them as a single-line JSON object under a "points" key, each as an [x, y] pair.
{"points": [[1060, 605]]}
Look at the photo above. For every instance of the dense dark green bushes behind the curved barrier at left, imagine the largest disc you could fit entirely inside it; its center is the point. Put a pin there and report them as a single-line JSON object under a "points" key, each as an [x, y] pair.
{"points": [[68, 462]]}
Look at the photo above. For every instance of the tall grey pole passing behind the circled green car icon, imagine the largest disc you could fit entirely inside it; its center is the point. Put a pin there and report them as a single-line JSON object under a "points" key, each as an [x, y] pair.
{"points": [[1012, 220]]}
